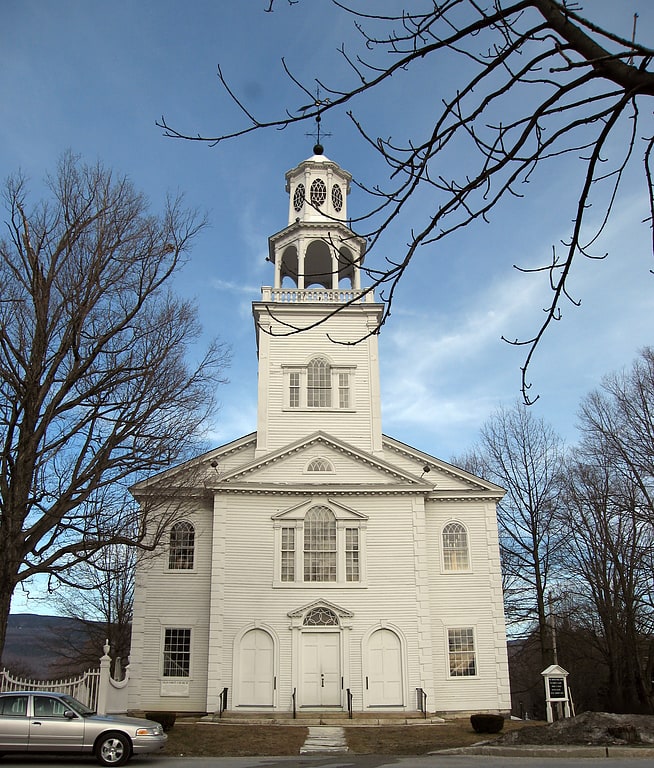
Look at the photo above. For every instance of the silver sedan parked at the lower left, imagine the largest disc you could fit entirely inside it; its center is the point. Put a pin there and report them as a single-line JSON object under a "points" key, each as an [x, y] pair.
{"points": [[39, 721]]}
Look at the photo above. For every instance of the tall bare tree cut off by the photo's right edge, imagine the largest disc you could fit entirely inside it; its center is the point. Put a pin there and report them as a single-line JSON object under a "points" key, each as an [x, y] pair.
{"points": [[609, 506]]}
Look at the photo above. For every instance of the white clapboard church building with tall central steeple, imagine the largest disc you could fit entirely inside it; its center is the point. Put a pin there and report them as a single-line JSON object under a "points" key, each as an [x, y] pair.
{"points": [[317, 564]]}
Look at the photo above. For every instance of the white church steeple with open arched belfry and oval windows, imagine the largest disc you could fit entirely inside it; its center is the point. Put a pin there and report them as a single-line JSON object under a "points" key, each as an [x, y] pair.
{"points": [[316, 340]]}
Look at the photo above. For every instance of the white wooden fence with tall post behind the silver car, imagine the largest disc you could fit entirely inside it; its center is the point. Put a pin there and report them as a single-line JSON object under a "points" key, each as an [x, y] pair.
{"points": [[95, 687]]}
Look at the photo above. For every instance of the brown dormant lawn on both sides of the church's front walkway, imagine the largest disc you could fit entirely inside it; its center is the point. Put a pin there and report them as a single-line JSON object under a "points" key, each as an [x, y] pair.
{"points": [[199, 739]]}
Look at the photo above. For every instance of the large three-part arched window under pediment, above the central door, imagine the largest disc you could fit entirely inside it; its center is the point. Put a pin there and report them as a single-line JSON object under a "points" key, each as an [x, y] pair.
{"points": [[318, 544]]}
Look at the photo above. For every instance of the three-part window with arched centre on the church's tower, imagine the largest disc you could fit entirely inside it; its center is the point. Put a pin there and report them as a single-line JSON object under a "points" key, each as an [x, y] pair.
{"points": [[319, 385]]}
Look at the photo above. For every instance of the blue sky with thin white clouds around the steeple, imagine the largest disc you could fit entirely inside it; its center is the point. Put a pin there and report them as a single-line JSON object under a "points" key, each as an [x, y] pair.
{"points": [[94, 77]]}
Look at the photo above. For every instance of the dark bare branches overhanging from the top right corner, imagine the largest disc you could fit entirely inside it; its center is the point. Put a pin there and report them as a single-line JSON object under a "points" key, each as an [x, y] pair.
{"points": [[528, 82]]}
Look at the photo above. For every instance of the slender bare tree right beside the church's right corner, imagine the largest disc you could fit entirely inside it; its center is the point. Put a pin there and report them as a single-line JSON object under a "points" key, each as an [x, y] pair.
{"points": [[524, 455]]}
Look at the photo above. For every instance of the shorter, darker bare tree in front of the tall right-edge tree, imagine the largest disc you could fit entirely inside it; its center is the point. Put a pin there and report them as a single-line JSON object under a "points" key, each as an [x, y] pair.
{"points": [[609, 575]]}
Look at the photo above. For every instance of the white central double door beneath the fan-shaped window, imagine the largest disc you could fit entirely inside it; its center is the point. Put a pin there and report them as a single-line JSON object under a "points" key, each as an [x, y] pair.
{"points": [[321, 669]]}
